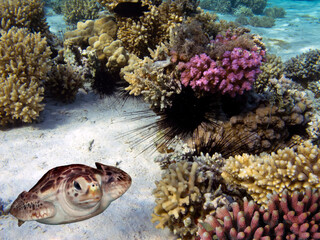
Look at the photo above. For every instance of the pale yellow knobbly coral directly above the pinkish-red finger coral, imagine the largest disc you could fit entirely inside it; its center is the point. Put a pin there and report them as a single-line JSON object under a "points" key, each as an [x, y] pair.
{"points": [[292, 169]]}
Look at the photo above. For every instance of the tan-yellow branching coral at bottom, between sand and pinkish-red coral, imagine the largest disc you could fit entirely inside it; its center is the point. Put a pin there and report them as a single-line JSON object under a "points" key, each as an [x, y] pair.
{"points": [[175, 196]]}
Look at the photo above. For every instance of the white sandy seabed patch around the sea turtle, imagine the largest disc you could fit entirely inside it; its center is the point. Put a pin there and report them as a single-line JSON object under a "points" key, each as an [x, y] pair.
{"points": [[63, 137]]}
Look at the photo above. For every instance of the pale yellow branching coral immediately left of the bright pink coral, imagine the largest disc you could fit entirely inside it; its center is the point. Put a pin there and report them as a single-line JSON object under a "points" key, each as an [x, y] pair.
{"points": [[154, 78]]}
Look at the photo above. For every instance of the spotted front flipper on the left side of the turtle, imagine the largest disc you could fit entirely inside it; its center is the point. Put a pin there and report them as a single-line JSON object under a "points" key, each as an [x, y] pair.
{"points": [[28, 207]]}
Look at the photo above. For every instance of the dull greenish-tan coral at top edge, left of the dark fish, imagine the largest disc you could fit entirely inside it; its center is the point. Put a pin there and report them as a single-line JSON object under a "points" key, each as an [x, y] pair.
{"points": [[79, 10]]}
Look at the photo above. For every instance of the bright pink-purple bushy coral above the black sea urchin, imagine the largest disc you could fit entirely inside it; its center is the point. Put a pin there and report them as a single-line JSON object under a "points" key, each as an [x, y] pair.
{"points": [[234, 74]]}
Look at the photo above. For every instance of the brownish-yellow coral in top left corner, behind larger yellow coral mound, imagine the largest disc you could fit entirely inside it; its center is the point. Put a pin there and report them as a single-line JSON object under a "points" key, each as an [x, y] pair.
{"points": [[23, 14]]}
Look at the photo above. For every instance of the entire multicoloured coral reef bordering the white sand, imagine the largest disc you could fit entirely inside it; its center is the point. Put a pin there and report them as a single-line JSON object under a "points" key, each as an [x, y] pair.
{"points": [[237, 130]]}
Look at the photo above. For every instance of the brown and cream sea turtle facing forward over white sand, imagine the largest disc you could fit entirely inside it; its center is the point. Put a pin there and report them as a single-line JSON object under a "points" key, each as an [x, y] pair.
{"points": [[71, 193]]}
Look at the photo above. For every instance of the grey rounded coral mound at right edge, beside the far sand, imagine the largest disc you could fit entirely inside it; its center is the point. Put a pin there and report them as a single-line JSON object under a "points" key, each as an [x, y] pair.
{"points": [[304, 67]]}
